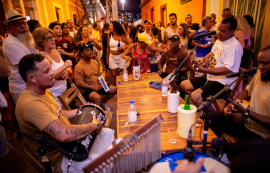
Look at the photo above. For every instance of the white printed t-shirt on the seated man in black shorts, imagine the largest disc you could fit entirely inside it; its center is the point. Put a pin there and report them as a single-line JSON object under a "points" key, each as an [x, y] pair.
{"points": [[225, 54]]}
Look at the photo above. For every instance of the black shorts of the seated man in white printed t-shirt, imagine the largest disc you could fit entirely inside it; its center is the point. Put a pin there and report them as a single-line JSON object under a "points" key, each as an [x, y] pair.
{"points": [[208, 87]]}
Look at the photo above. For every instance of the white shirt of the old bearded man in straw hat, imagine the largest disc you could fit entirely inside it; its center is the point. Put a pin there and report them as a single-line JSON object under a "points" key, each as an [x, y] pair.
{"points": [[13, 51]]}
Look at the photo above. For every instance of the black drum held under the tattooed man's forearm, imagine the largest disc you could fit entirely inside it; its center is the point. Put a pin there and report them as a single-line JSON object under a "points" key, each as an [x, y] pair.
{"points": [[82, 147]]}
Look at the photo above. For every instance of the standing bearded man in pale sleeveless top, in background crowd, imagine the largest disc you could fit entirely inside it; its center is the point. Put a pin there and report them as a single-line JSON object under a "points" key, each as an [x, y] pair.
{"points": [[172, 29]]}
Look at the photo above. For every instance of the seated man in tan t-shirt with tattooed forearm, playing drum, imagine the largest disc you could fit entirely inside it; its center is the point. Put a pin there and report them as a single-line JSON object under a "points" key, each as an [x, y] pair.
{"points": [[39, 115]]}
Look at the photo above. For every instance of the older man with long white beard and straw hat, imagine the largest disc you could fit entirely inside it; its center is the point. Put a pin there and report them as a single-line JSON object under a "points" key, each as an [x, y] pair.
{"points": [[18, 43]]}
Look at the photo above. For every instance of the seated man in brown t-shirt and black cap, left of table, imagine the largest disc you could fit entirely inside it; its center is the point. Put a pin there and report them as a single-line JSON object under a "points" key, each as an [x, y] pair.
{"points": [[86, 77]]}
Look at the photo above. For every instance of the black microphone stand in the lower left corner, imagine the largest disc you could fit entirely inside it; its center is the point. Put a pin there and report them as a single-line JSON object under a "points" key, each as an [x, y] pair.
{"points": [[45, 144]]}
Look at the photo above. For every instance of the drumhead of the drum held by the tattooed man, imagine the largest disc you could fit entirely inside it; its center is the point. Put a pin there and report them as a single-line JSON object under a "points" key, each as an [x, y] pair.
{"points": [[85, 114]]}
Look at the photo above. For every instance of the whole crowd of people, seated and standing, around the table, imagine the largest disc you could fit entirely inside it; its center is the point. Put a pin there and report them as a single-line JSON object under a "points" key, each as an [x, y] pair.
{"points": [[38, 58]]}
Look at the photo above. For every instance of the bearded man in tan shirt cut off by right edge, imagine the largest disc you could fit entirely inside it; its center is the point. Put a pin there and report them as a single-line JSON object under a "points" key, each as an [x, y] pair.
{"points": [[256, 117]]}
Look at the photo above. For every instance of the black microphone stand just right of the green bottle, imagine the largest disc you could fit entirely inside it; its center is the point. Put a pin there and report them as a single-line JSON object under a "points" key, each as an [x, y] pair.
{"points": [[205, 106]]}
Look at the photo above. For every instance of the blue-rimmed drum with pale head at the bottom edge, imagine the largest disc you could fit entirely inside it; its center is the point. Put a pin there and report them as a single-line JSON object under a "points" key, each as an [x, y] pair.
{"points": [[169, 162]]}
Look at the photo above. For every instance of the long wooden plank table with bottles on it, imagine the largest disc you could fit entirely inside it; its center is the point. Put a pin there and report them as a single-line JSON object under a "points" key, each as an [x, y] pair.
{"points": [[149, 103]]}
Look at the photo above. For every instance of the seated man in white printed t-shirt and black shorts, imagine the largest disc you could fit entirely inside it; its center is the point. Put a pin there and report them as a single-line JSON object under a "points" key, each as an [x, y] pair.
{"points": [[224, 58]]}
